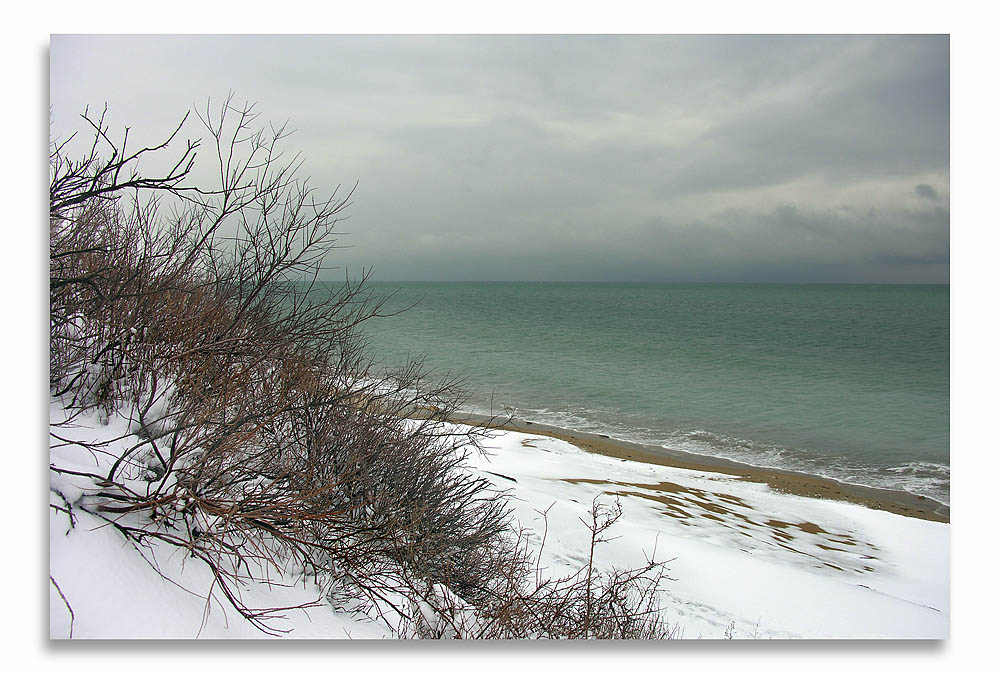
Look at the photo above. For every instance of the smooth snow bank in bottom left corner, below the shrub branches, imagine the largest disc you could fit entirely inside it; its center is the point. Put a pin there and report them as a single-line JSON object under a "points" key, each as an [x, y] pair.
{"points": [[115, 592]]}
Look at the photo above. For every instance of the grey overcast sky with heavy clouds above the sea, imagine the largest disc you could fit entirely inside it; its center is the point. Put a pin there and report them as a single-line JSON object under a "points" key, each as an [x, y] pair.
{"points": [[677, 158]]}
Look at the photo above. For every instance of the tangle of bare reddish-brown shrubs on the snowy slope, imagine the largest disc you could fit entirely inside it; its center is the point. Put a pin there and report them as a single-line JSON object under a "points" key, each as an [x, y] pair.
{"points": [[261, 437]]}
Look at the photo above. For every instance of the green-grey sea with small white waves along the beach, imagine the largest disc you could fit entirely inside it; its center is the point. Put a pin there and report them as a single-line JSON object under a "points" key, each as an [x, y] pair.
{"points": [[845, 381]]}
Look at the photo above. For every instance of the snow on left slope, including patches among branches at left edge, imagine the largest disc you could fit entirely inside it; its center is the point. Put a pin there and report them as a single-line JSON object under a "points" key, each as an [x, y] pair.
{"points": [[117, 589]]}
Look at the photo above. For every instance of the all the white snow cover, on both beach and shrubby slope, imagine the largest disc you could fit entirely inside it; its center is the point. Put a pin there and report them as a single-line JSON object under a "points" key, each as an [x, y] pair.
{"points": [[745, 561]]}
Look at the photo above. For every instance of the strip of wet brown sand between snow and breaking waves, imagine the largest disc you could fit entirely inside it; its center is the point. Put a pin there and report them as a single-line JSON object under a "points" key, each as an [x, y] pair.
{"points": [[785, 481]]}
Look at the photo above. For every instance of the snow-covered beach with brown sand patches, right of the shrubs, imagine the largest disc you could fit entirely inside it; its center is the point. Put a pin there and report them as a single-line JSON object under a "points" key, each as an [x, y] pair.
{"points": [[772, 564]]}
